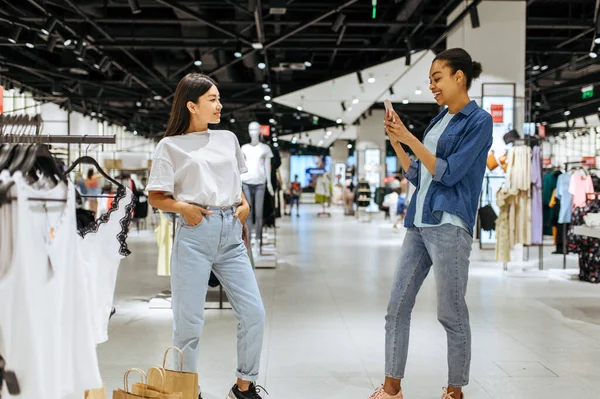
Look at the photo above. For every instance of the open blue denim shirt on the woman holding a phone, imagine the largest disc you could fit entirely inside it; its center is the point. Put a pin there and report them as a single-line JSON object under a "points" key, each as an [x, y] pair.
{"points": [[461, 160]]}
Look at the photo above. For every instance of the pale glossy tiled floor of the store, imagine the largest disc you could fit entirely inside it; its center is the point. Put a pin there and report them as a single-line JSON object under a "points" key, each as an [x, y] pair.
{"points": [[535, 334]]}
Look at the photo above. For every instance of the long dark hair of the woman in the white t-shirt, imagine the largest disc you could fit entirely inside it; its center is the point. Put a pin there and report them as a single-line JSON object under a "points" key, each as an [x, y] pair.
{"points": [[190, 88]]}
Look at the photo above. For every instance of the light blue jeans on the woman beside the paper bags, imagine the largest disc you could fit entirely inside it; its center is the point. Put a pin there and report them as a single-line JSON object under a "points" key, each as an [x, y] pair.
{"points": [[215, 244]]}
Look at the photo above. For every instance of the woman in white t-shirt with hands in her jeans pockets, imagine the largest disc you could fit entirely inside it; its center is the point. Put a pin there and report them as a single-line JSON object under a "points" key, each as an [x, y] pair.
{"points": [[196, 174]]}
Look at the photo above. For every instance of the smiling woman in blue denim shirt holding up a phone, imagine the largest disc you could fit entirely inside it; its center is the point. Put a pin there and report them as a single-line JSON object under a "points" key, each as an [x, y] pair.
{"points": [[448, 174]]}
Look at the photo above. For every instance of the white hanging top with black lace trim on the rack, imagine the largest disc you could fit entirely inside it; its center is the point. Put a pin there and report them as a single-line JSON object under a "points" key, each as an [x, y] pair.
{"points": [[104, 245]]}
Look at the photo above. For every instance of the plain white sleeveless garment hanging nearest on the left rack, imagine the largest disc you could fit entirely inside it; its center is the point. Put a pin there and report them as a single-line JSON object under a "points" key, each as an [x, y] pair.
{"points": [[46, 290]]}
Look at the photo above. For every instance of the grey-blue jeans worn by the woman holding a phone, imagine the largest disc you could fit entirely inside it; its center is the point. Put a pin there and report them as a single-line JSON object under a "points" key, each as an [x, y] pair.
{"points": [[447, 248]]}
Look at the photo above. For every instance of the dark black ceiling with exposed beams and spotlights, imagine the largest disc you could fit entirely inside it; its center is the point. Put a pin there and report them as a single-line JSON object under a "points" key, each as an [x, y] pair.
{"points": [[132, 62]]}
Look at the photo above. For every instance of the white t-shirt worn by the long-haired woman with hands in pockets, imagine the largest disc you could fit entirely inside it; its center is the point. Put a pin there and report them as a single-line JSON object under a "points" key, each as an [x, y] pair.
{"points": [[202, 168]]}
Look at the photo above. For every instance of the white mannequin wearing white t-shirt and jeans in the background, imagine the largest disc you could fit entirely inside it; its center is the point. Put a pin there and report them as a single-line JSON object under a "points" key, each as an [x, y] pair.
{"points": [[258, 179]]}
